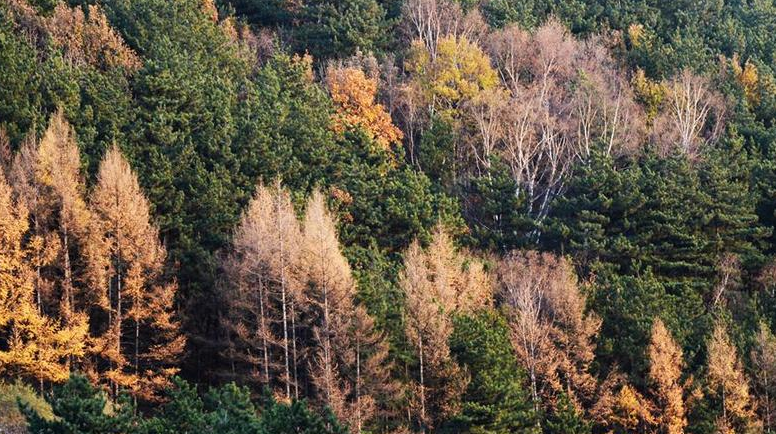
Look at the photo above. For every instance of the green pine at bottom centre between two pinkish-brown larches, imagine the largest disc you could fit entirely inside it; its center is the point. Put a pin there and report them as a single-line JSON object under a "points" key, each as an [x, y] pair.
{"points": [[496, 400]]}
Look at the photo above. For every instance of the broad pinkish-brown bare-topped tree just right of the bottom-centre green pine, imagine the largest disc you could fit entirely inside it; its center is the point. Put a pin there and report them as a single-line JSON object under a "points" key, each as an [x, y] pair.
{"points": [[552, 333]]}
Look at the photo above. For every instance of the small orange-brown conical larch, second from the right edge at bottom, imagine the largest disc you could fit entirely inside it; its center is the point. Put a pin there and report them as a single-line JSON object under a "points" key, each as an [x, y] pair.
{"points": [[727, 381]]}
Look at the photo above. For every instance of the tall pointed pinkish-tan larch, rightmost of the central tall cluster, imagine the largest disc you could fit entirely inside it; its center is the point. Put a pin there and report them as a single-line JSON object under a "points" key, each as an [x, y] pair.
{"points": [[348, 351]]}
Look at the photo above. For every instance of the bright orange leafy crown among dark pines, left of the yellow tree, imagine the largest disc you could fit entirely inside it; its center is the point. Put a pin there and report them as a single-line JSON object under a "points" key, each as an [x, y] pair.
{"points": [[354, 95]]}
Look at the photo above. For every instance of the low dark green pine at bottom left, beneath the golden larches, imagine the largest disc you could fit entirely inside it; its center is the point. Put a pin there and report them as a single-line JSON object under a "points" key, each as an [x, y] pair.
{"points": [[79, 408]]}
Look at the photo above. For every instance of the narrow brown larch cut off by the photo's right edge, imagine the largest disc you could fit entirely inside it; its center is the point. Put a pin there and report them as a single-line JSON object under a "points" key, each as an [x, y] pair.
{"points": [[763, 359]]}
